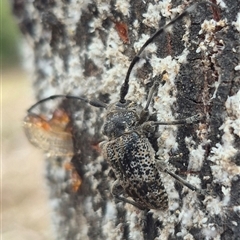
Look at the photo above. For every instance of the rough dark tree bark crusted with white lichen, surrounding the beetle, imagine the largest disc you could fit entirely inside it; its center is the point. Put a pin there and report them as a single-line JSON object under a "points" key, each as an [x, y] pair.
{"points": [[75, 49]]}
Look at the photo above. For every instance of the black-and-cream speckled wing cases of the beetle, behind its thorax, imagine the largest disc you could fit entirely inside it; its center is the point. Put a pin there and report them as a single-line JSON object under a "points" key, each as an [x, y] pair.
{"points": [[133, 161]]}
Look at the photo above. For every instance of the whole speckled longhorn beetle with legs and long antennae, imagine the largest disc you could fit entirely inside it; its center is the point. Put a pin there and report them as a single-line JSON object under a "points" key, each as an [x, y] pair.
{"points": [[128, 149]]}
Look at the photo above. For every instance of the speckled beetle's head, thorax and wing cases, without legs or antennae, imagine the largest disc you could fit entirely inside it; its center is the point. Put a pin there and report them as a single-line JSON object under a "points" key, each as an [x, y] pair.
{"points": [[132, 158]]}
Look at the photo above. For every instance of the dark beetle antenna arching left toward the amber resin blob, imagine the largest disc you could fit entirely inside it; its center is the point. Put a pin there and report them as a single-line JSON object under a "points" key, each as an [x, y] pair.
{"points": [[95, 103]]}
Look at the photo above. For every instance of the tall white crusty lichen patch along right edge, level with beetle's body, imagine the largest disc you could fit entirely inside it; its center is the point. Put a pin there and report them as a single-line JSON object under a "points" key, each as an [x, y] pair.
{"points": [[222, 154]]}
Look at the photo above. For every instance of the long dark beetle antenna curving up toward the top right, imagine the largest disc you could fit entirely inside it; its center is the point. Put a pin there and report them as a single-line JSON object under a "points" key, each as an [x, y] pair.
{"points": [[125, 85]]}
